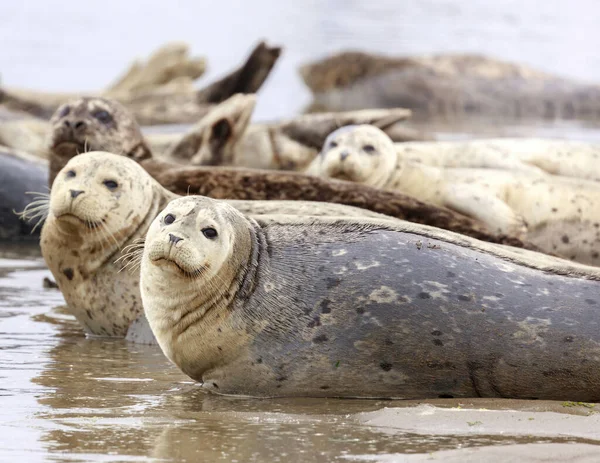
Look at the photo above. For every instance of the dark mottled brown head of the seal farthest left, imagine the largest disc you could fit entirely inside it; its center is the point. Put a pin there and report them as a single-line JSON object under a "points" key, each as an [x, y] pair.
{"points": [[93, 124]]}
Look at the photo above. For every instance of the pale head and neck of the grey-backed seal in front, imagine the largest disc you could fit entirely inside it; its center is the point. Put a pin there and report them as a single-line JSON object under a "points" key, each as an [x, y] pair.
{"points": [[199, 258]]}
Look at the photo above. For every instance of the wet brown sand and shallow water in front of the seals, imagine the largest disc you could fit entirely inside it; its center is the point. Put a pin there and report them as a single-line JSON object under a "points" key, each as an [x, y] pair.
{"points": [[64, 397]]}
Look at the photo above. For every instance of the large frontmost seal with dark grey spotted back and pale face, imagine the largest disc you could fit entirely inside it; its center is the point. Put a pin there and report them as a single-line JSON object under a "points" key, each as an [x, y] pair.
{"points": [[369, 308]]}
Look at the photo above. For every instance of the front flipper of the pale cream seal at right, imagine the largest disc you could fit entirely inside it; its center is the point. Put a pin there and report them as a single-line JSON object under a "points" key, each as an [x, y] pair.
{"points": [[481, 205]]}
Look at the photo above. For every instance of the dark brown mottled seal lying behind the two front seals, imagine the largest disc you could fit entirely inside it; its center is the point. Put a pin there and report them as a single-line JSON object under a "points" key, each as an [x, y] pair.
{"points": [[119, 132]]}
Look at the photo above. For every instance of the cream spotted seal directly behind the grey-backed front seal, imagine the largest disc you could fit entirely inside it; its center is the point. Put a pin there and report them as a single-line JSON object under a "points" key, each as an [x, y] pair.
{"points": [[102, 203]]}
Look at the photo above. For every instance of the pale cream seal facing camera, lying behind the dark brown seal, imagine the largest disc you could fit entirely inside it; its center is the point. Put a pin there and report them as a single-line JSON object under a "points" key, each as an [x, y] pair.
{"points": [[560, 215]]}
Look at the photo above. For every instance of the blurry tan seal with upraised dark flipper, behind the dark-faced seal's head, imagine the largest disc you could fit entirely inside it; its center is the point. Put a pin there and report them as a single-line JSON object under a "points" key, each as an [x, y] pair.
{"points": [[160, 91]]}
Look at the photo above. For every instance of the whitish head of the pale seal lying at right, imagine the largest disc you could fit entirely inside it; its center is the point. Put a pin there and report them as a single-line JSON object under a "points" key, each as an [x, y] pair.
{"points": [[358, 153]]}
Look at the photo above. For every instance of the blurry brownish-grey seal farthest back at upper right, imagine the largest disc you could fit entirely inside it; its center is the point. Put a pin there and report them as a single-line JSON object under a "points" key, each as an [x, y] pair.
{"points": [[448, 86]]}
